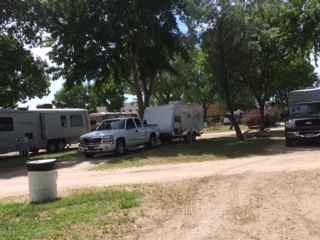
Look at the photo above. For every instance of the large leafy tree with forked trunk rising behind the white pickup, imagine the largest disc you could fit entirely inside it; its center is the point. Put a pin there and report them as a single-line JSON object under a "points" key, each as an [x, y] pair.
{"points": [[133, 39]]}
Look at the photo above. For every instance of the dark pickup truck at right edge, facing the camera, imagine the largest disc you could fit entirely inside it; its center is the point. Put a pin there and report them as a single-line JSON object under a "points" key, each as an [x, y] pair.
{"points": [[303, 122]]}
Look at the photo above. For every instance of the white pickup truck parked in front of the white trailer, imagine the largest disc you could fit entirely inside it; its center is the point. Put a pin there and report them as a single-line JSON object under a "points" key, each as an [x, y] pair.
{"points": [[117, 135]]}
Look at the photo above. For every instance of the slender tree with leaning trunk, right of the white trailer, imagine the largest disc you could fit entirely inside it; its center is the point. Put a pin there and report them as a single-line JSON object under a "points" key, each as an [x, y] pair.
{"points": [[225, 42]]}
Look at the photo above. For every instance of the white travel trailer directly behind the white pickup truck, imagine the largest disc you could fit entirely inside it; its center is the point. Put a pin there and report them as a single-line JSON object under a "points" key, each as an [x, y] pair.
{"points": [[176, 120]]}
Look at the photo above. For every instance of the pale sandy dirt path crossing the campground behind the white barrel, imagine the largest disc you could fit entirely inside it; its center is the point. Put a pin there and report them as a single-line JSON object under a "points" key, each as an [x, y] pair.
{"points": [[275, 196]]}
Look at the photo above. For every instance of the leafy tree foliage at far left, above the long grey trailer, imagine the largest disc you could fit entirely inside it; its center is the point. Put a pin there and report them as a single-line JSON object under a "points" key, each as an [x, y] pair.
{"points": [[22, 76]]}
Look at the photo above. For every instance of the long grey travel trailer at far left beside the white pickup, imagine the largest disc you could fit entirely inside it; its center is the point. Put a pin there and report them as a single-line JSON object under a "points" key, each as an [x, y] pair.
{"points": [[50, 129]]}
